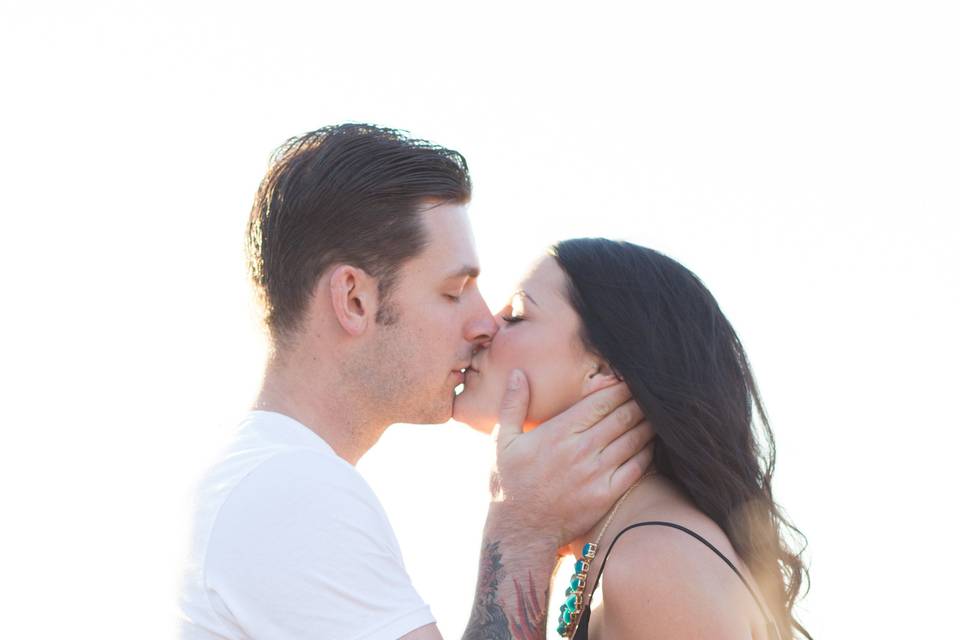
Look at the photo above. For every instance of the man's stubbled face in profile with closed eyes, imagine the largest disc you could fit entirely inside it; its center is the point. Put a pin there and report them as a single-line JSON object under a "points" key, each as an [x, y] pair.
{"points": [[440, 320]]}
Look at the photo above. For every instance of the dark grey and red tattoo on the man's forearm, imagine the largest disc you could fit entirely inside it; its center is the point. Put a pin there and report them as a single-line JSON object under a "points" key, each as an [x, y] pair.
{"points": [[488, 620]]}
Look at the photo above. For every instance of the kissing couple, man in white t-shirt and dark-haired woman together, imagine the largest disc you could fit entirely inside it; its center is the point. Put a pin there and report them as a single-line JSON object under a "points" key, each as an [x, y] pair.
{"points": [[629, 429]]}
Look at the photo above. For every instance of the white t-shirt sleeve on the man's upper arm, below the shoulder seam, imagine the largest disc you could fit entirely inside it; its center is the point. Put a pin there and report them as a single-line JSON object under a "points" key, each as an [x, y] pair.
{"points": [[302, 549]]}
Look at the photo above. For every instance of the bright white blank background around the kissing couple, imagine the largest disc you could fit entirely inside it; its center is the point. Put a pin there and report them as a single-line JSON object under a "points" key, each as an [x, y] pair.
{"points": [[803, 159]]}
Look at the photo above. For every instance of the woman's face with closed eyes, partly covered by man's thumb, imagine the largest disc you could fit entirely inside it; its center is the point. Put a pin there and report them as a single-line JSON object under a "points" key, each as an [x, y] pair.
{"points": [[538, 334]]}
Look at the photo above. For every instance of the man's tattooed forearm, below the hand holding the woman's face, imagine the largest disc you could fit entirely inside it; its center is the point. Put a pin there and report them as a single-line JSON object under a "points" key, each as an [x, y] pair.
{"points": [[513, 582]]}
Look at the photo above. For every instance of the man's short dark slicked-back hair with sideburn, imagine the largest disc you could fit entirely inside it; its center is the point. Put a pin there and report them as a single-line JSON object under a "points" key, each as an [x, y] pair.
{"points": [[343, 194]]}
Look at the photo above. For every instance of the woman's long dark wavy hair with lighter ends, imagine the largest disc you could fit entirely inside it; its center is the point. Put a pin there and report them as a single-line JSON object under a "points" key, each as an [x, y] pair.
{"points": [[664, 333]]}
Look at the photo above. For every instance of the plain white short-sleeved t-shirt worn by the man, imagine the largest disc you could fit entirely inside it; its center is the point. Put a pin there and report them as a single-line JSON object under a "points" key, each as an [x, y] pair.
{"points": [[289, 541]]}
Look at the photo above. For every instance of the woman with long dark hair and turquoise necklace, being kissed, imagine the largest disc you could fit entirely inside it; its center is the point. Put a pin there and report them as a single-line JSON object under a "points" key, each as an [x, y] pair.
{"points": [[697, 548]]}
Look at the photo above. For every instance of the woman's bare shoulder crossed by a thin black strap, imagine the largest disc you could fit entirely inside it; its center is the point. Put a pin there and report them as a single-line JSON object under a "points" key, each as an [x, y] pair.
{"points": [[660, 581]]}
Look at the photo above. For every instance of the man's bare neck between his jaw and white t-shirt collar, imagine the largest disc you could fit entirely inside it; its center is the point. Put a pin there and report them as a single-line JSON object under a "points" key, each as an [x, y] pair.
{"points": [[322, 402]]}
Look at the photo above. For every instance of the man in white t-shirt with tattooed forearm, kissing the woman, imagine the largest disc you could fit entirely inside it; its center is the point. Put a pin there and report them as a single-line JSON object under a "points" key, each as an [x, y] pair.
{"points": [[361, 251]]}
